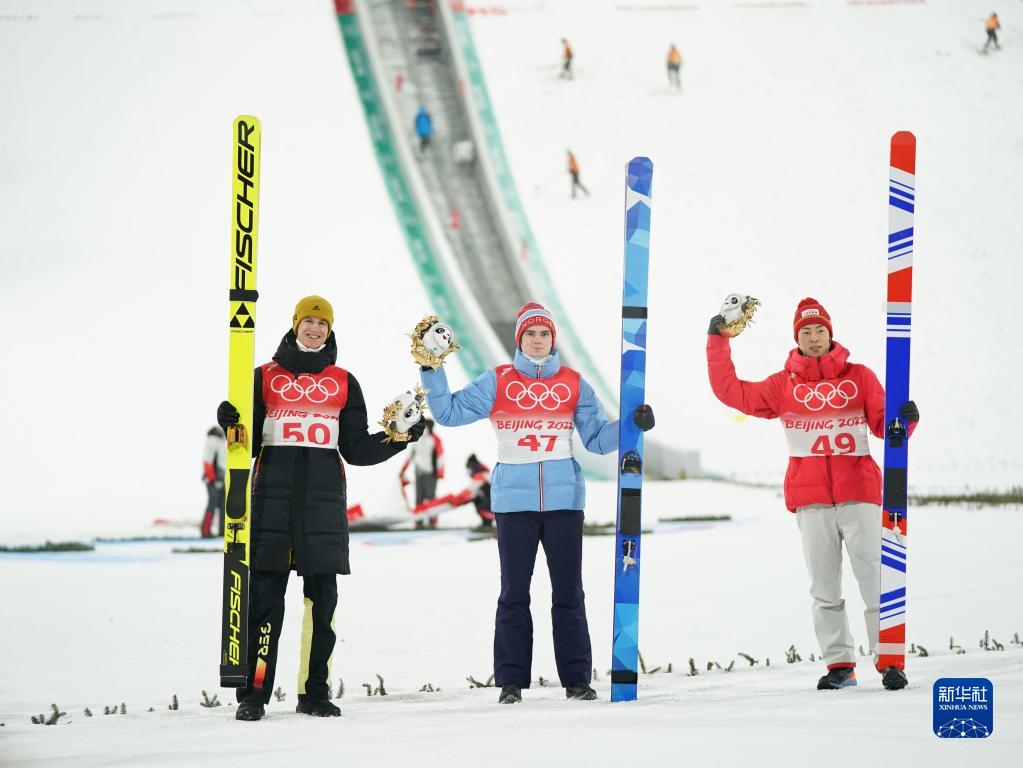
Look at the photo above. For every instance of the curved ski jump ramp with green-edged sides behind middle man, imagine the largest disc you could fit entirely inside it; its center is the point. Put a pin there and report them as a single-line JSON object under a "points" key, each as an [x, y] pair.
{"points": [[457, 202]]}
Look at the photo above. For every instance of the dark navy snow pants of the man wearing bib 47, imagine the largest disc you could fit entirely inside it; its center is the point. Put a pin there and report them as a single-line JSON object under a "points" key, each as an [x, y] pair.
{"points": [[518, 536]]}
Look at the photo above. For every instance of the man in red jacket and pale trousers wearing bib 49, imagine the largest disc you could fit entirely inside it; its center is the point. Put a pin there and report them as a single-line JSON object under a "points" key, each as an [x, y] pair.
{"points": [[827, 406]]}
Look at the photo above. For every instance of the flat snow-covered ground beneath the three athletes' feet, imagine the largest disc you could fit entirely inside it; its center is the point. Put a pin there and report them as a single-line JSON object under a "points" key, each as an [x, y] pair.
{"points": [[100, 629]]}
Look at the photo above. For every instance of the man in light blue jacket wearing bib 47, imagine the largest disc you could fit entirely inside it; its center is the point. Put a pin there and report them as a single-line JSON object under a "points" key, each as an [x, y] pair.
{"points": [[538, 491]]}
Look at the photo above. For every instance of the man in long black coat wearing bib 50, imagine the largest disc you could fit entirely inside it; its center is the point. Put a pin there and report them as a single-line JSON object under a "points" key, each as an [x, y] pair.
{"points": [[306, 412]]}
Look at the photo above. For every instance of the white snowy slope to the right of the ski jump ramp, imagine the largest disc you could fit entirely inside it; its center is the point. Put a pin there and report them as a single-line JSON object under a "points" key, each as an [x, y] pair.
{"points": [[771, 178]]}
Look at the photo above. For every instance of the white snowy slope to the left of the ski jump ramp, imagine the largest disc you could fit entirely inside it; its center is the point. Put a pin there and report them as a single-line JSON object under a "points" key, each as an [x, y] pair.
{"points": [[115, 185]]}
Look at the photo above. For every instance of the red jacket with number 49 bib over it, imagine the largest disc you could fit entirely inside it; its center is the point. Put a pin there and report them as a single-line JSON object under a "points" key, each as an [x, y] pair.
{"points": [[826, 405]]}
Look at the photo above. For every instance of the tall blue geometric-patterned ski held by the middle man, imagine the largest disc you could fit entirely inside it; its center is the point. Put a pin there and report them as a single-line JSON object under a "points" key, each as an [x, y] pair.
{"points": [[626, 643]]}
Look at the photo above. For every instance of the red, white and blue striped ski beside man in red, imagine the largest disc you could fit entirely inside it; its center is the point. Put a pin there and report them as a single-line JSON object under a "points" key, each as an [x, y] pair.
{"points": [[902, 205]]}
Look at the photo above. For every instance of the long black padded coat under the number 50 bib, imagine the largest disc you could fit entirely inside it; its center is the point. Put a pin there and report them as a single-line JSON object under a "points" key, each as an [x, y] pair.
{"points": [[299, 508]]}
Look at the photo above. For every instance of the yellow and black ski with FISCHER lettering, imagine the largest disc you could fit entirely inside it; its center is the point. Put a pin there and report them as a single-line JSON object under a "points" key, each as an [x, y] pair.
{"points": [[242, 328]]}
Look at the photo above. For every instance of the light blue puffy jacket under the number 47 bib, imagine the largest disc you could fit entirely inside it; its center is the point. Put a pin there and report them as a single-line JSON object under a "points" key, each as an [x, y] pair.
{"points": [[516, 488]]}
